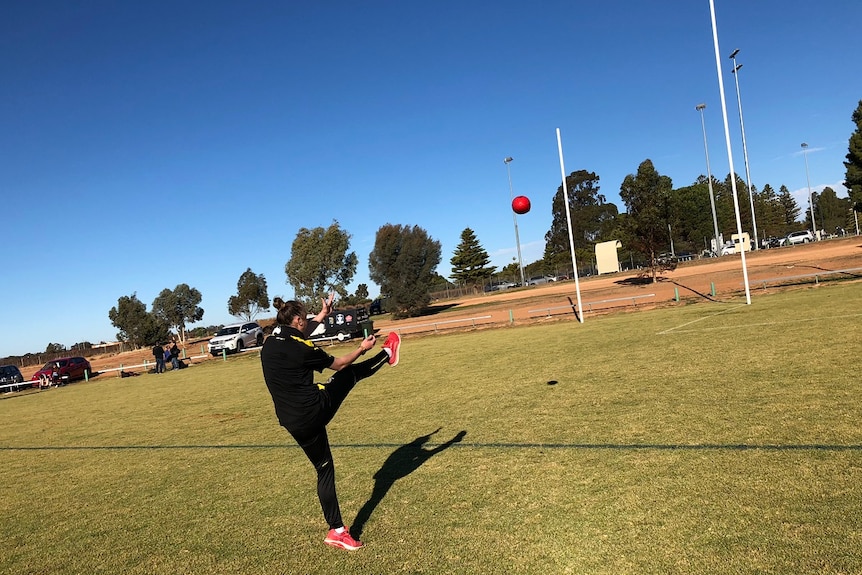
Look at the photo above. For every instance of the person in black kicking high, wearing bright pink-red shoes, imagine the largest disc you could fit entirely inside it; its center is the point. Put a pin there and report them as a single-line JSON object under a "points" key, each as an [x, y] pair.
{"points": [[304, 408]]}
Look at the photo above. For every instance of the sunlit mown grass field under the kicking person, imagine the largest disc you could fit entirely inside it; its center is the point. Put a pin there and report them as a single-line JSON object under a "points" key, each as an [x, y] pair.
{"points": [[708, 438]]}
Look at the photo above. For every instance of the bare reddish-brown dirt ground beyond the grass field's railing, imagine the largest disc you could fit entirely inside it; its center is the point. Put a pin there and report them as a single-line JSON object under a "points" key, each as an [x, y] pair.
{"points": [[768, 270]]}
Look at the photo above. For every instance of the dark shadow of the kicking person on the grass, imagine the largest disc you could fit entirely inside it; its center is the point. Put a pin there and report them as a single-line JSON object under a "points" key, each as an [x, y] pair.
{"points": [[400, 463]]}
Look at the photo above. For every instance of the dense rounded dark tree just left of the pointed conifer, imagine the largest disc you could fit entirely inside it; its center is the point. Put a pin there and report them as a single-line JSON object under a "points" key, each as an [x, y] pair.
{"points": [[403, 264]]}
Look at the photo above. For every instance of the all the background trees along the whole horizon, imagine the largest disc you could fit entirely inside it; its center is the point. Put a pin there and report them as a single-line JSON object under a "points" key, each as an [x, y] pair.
{"points": [[405, 258]]}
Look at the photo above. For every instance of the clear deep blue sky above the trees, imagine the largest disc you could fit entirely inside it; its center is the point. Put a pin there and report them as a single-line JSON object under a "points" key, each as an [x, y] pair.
{"points": [[148, 144]]}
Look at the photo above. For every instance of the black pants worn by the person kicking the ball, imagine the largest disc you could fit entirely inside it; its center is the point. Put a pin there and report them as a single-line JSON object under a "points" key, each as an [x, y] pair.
{"points": [[313, 440]]}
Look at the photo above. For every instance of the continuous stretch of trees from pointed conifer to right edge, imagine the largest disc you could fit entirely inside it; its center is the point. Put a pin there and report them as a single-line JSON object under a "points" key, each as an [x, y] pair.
{"points": [[659, 218]]}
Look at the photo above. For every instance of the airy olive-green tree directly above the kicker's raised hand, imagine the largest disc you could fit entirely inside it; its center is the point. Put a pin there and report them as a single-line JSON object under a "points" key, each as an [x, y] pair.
{"points": [[320, 263]]}
